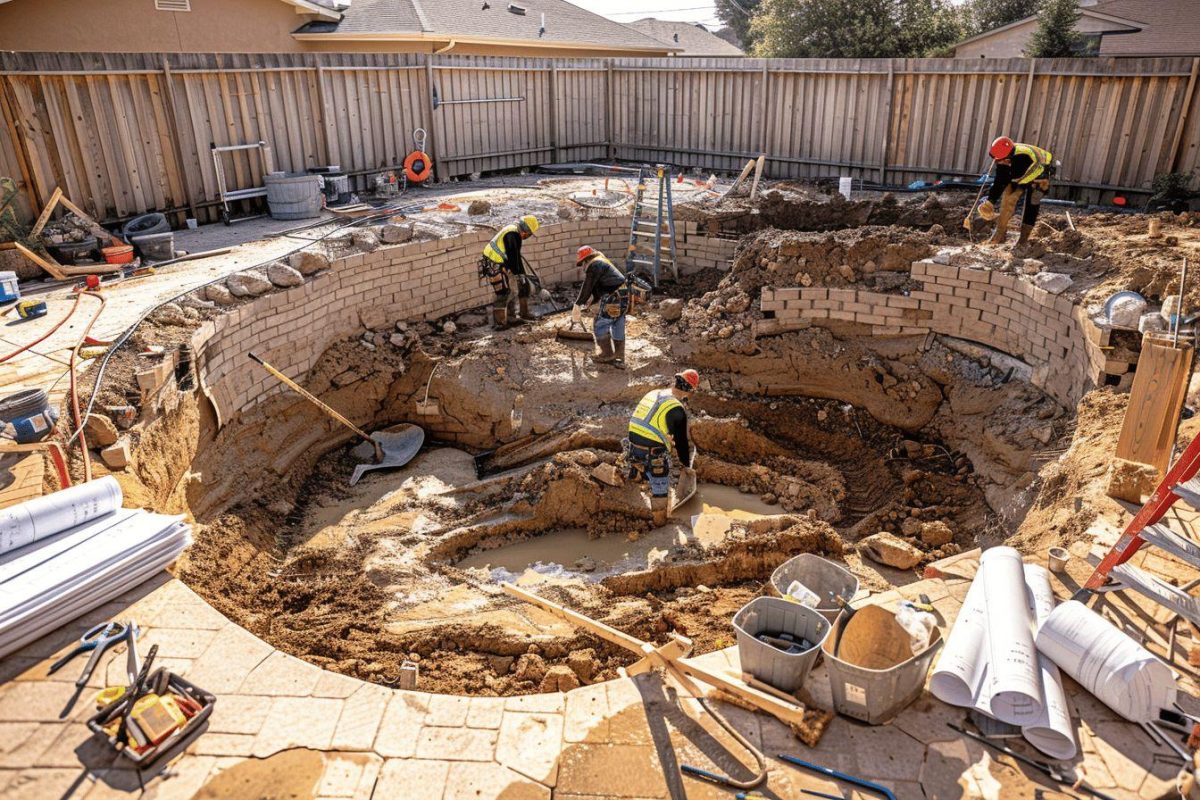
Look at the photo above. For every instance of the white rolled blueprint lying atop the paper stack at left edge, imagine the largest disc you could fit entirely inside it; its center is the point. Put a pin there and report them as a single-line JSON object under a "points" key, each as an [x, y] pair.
{"points": [[34, 520]]}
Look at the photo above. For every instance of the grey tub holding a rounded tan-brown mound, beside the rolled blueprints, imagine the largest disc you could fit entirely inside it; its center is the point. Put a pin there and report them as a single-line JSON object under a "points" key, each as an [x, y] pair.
{"points": [[872, 667]]}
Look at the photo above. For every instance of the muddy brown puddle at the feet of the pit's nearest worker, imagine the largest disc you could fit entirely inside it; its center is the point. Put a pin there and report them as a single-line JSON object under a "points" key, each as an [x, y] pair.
{"points": [[569, 554]]}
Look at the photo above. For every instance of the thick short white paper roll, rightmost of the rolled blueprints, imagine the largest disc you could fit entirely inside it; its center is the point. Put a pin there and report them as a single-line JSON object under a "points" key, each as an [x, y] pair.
{"points": [[1121, 673]]}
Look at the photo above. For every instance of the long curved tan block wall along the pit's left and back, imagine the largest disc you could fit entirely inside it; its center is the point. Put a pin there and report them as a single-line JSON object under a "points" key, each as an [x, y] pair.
{"points": [[417, 281]]}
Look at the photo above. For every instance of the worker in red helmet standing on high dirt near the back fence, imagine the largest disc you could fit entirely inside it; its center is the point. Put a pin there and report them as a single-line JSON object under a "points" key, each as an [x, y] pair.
{"points": [[1021, 170]]}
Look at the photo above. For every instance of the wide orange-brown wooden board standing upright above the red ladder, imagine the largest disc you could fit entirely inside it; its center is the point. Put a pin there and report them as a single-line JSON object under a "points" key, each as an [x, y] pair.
{"points": [[1156, 400]]}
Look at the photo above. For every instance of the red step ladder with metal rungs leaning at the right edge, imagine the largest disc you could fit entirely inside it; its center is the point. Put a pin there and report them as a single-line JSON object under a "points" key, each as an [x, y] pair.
{"points": [[1147, 528]]}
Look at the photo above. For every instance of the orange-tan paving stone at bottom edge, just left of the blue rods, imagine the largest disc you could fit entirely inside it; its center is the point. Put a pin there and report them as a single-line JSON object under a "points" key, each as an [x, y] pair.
{"points": [[613, 771]]}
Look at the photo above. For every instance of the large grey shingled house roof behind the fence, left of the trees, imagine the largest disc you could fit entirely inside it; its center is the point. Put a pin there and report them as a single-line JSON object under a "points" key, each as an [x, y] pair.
{"points": [[491, 21]]}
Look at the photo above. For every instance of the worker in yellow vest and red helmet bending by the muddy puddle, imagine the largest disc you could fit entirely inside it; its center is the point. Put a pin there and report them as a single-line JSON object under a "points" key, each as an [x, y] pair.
{"points": [[659, 424]]}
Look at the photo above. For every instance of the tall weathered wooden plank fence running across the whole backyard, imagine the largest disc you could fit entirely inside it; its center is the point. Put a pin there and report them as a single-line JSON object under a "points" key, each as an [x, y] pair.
{"points": [[124, 134]]}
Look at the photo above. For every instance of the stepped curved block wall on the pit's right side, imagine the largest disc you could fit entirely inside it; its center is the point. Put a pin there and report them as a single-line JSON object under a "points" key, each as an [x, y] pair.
{"points": [[994, 309]]}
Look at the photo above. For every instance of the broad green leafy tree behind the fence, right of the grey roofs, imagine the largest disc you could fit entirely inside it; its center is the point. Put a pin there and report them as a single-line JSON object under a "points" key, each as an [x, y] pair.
{"points": [[863, 29]]}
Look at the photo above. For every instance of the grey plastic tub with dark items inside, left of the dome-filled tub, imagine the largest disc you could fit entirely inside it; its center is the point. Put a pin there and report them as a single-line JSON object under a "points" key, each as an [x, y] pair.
{"points": [[784, 671]]}
